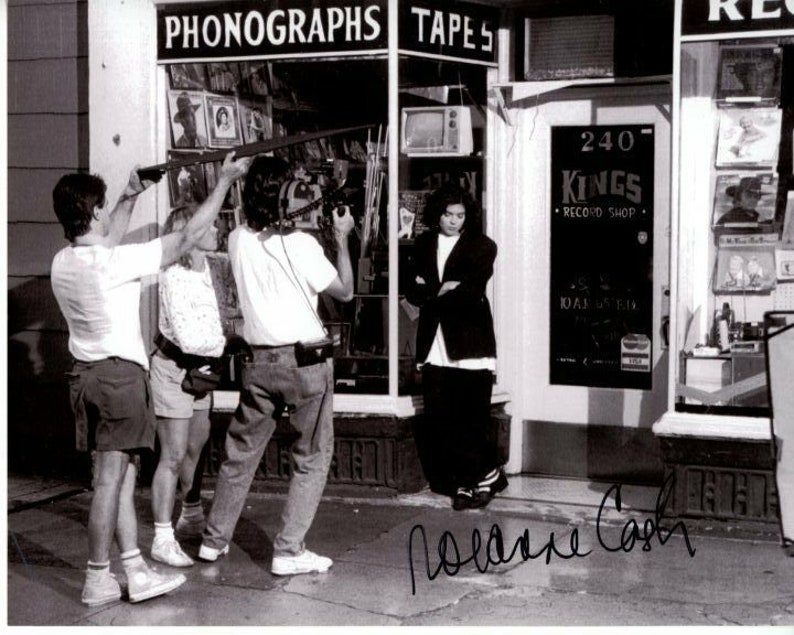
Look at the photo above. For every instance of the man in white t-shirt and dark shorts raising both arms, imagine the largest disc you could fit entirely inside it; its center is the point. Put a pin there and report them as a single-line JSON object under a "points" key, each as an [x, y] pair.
{"points": [[96, 282]]}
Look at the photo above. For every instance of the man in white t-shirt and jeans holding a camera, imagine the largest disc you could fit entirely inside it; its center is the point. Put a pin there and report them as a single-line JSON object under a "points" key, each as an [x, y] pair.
{"points": [[279, 273]]}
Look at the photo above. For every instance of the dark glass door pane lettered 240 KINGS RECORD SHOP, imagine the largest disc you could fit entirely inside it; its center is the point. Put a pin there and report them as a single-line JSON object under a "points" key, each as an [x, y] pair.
{"points": [[602, 256]]}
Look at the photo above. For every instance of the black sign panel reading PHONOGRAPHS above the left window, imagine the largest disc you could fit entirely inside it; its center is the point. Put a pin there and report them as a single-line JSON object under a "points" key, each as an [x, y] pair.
{"points": [[222, 30]]}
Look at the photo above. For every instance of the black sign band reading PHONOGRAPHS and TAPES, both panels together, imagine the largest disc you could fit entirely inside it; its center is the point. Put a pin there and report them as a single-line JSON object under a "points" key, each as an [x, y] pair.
{"points": [[300, 28]]}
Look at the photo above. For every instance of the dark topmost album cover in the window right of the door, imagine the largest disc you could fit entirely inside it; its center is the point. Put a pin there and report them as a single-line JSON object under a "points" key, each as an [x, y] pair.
{"points": [[749, 73]]}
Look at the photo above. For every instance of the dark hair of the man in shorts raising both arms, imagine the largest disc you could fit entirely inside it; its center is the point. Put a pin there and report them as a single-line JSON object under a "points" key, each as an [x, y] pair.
{"points": [[74, 198]]}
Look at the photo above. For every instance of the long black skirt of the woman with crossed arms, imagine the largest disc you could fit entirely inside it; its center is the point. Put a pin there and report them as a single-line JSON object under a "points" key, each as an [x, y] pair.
{"points": [[452, 437]]}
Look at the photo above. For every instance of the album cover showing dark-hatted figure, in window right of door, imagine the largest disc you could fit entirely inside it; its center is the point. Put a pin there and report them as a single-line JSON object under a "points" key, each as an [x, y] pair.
{"points": [[744, 199]]}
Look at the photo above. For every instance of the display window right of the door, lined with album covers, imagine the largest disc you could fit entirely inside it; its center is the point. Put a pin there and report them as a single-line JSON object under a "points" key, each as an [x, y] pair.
{"points": [[735, 220]]}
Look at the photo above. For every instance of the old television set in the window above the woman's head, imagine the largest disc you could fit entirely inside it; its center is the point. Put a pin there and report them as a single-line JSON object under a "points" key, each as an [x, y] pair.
{"points": [[436, 131]]}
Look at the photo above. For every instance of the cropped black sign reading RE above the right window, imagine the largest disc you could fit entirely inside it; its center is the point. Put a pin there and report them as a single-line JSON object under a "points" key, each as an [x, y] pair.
{"points": [[720, 17]]}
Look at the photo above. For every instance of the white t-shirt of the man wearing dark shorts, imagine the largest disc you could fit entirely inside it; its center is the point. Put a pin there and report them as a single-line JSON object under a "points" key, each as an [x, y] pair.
{"points": [[98, 291]]}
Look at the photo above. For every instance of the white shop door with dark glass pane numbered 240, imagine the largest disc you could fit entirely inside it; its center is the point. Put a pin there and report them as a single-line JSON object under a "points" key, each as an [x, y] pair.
{"points": [[593, 228]]}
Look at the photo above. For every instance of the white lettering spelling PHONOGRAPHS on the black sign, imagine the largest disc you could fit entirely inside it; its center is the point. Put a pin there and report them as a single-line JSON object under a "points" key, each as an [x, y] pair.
{"points": [[278, 27]]}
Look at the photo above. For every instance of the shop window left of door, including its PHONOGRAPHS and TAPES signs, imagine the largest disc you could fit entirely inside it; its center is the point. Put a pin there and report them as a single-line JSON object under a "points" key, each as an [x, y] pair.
{"points": [[419, 119]]}
